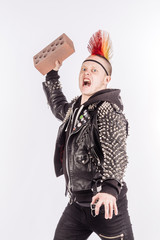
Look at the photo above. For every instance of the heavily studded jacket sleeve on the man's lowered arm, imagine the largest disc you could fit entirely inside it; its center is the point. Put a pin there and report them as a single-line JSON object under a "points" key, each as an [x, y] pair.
{"points": [[113, 131]]}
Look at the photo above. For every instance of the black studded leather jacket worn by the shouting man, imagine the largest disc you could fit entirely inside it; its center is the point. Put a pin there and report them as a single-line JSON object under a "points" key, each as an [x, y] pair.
{"points": [[90, 148]]}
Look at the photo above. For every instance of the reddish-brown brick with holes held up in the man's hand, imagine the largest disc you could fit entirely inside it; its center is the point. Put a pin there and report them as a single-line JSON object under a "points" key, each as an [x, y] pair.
{"points": [[59, 49]]}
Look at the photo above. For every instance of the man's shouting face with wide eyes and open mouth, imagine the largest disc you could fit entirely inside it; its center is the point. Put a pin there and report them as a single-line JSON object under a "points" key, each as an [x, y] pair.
{"points": [[92, 77]]}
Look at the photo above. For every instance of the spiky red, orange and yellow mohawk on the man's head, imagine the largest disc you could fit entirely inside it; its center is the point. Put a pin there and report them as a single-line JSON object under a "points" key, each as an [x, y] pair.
{"points": [[100, 44]]}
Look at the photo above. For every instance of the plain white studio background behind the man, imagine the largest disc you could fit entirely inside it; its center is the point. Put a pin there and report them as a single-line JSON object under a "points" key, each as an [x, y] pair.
{"points": [[31, 197]]}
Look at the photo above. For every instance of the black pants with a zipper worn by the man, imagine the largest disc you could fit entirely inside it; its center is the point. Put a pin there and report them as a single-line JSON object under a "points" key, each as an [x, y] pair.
{"points": [[77, 223]]}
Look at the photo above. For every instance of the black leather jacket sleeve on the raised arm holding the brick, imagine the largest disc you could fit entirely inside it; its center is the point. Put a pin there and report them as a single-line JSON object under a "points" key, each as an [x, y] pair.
{"points": [[55, 97]]}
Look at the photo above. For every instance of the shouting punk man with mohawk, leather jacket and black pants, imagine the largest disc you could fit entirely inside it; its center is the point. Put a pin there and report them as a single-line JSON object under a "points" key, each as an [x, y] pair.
{"points": [[91, 149]]}
